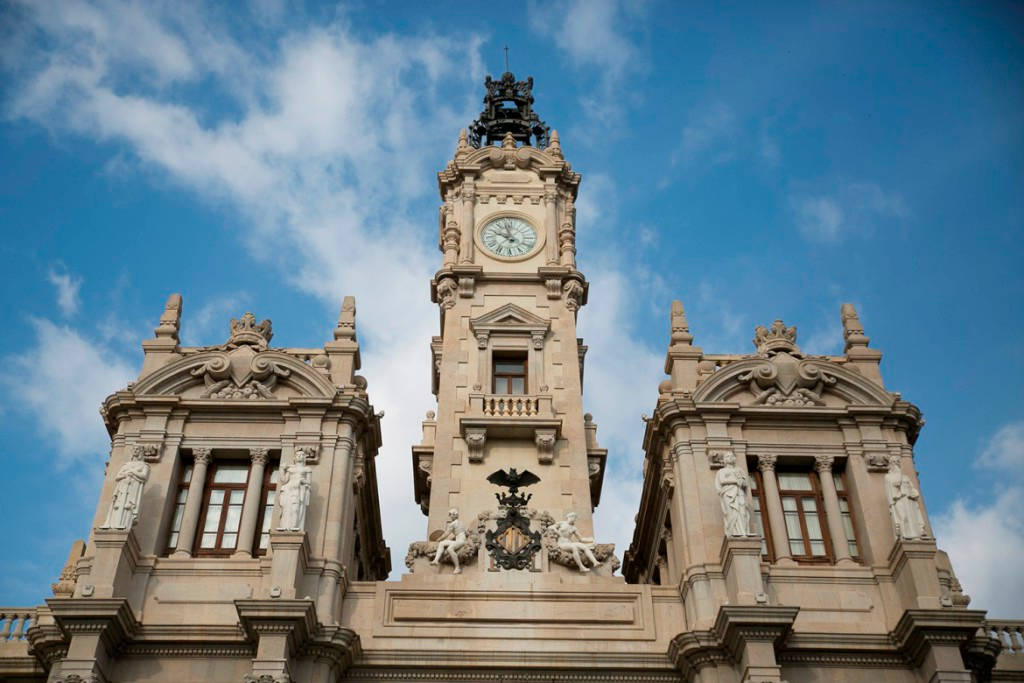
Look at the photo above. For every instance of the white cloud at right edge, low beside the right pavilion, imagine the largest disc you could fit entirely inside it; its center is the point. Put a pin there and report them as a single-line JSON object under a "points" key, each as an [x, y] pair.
{"points": [[986, 540]]}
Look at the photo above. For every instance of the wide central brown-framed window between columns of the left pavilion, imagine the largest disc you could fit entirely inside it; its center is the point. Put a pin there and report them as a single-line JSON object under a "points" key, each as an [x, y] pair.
{"points": [[225, 497]]}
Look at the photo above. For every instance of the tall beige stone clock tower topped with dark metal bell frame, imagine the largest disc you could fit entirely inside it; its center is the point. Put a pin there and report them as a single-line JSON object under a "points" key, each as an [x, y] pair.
{"points": [[507, 365]]}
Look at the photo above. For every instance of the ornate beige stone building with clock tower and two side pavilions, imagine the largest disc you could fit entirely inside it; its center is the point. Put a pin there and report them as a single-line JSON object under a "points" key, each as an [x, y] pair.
{"points": [[781, 534]]}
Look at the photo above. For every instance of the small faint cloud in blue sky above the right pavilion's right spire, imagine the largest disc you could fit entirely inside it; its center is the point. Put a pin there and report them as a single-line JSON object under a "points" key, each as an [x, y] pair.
{"points": [[855, 208]]}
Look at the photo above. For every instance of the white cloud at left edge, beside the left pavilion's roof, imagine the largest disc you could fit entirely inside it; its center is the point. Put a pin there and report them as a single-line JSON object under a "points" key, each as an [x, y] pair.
{"points": [[62, 382]]}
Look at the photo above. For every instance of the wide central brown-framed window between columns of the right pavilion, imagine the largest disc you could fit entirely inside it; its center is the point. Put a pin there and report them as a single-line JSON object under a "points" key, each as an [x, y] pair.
{"points": [[804, 515]]}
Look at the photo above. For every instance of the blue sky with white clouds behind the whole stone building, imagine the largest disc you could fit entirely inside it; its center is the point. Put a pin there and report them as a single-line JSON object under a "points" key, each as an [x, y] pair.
{"points": [[754, 160]]}
